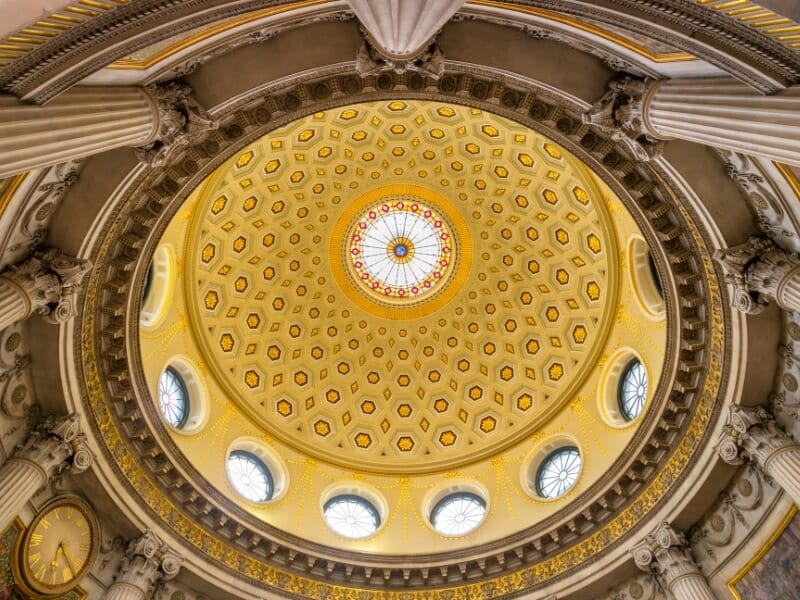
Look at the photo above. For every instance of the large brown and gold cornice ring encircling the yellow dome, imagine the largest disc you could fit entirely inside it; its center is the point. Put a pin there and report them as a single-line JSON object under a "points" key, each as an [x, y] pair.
{"points": [[644, 479]]}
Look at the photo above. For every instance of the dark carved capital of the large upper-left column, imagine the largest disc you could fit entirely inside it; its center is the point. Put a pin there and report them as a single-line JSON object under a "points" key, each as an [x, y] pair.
{"points": [[182, 121]]}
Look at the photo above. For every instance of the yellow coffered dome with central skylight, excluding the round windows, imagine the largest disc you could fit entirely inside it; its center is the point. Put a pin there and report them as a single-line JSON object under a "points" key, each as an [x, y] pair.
{"points": [[403, 294]]}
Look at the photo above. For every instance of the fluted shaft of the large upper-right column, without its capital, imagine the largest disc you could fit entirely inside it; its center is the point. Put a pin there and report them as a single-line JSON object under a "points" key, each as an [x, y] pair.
{"points": [[725, 113]]}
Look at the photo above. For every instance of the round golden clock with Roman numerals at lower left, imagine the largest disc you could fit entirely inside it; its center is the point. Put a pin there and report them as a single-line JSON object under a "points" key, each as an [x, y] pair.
{"points": [[59, 547]]}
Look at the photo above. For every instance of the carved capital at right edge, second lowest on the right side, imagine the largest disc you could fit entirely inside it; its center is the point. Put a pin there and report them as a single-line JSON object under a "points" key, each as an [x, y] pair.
{"points": [[752, 434]]}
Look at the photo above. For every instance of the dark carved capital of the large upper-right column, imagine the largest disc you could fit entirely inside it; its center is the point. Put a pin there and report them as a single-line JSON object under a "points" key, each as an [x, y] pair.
{"points": [[620, 114]]}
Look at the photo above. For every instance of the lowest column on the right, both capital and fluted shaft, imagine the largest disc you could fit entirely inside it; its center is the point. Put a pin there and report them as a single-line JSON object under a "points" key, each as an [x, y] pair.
{"points": [[666, 552]]}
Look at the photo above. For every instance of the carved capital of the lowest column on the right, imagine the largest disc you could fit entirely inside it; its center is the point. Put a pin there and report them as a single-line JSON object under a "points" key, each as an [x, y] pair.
{"points": [[666, 552]]}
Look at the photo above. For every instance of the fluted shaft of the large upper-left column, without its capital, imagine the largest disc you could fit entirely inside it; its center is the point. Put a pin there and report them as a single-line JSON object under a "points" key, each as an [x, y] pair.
{"points": [[80, 122]]}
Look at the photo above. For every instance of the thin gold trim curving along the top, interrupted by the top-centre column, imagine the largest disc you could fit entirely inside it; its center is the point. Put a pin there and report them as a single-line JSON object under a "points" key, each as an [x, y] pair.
{"points": [[146, 63]]}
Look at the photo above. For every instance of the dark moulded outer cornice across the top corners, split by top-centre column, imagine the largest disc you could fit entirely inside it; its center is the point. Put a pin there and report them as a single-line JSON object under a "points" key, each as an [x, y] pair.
{"points": [[47, 69]]}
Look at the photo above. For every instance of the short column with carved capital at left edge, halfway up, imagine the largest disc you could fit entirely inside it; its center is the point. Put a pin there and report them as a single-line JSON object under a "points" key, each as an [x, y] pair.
{"points": [[46, 283]]}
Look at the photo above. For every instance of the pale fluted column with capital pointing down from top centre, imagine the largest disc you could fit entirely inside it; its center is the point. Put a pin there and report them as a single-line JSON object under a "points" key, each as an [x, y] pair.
{"points": [[399, 34]]}
